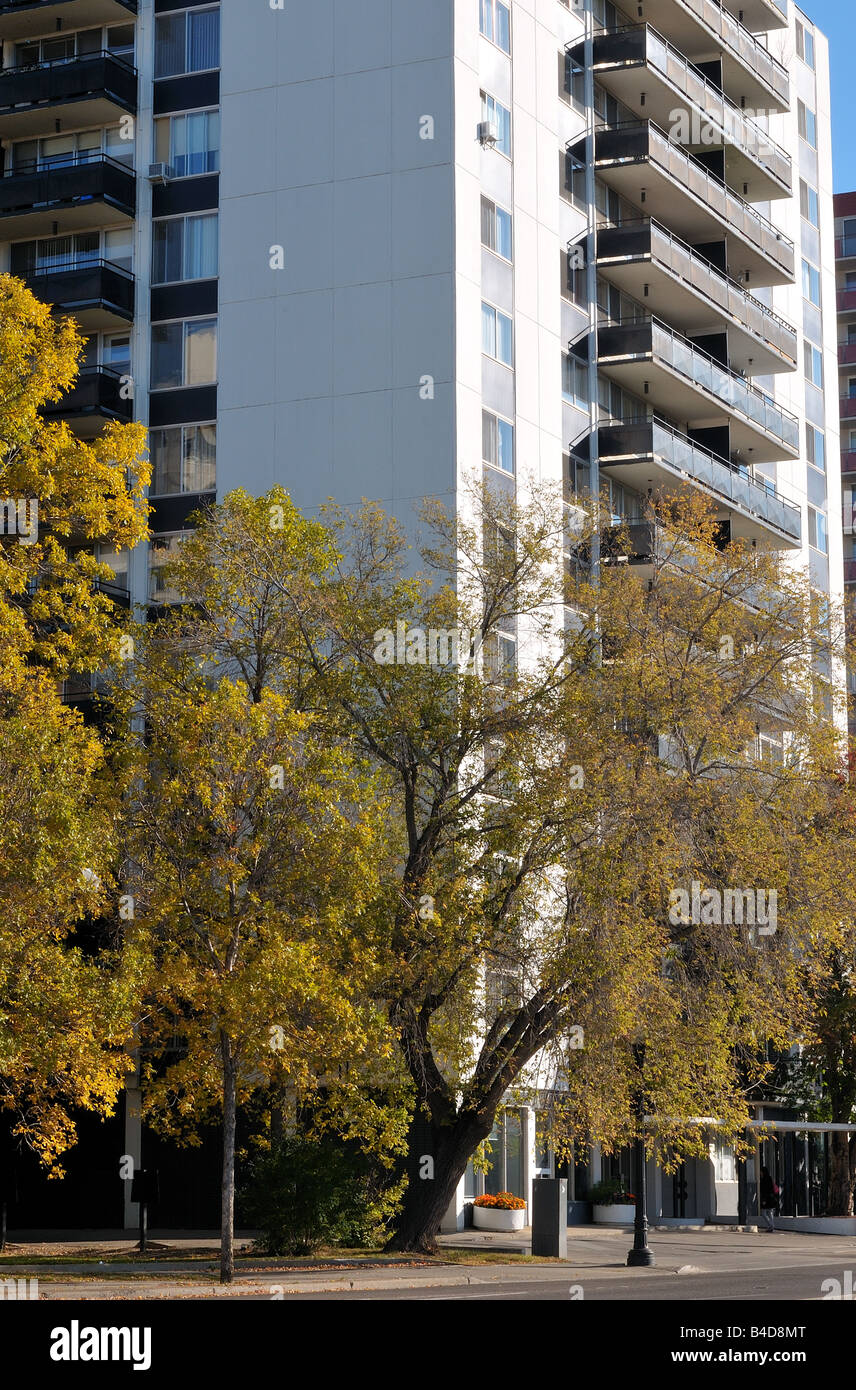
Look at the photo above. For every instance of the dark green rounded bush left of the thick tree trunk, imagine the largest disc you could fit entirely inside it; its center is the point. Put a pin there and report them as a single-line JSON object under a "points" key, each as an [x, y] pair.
{"points": [[308, 1193]]}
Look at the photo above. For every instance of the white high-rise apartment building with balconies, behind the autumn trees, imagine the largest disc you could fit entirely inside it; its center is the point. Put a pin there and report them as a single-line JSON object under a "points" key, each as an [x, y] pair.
{"points": [[363, 248]]}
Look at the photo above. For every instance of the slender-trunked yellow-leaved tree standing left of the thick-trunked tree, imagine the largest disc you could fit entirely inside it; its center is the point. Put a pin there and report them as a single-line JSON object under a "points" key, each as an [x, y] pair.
{"points": [[254, 846]]}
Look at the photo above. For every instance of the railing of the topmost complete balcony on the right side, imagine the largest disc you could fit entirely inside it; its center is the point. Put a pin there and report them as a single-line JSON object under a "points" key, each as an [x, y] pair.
{"points": [[718, 120]]}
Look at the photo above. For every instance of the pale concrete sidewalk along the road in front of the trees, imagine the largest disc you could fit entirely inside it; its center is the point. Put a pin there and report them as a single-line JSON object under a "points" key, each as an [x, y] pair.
{"points": [[593, 1252]]}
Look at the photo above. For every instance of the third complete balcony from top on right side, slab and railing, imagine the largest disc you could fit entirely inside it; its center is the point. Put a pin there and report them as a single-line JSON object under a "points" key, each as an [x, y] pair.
{"points": [[683, 287]]}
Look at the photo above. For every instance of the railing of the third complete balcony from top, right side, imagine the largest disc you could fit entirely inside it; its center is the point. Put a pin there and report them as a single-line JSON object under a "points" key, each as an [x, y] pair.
{"points": [[650, 238]]}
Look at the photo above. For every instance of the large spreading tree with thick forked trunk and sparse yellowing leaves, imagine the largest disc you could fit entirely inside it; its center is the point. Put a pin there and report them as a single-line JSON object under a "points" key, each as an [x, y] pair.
{"points": [[555, 782]]}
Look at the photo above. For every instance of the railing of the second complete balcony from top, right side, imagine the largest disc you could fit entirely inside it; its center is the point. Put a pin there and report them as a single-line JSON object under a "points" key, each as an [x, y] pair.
{"points": [[637, 141]]}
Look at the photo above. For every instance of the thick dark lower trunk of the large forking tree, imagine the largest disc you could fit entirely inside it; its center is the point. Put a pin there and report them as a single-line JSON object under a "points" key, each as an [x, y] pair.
{"points": [[427, 1197]]}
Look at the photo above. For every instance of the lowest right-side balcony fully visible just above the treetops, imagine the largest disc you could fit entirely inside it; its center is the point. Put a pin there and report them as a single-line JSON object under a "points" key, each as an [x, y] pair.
{"points": [[652, 454]]}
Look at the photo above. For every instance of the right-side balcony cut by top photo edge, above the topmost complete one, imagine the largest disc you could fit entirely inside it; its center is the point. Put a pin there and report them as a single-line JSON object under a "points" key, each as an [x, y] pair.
{"points": [[704, 28]]}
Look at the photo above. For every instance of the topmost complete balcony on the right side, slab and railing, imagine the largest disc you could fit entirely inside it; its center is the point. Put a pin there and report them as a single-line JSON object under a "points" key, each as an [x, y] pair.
{"points": [[652, 79]]}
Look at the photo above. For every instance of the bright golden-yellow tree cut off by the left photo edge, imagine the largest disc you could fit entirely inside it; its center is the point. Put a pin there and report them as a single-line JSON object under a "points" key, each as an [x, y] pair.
{"points": [[66, 1017]]}
